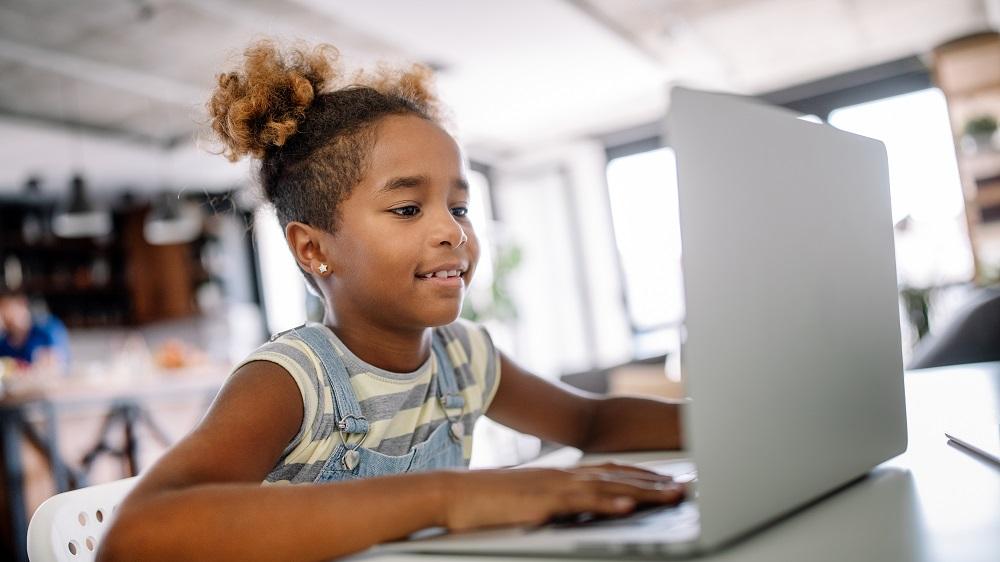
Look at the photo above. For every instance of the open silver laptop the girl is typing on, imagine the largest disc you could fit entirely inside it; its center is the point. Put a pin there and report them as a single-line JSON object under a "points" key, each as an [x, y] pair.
{"points": [[792, 356]]}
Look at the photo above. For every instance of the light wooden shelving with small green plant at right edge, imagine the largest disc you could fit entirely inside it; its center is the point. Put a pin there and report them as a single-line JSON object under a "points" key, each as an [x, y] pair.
{"points": [[968, 72]]}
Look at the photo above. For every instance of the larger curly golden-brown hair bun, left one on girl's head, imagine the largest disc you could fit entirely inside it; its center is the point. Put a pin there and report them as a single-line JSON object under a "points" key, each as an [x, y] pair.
{"points": [[263, 103]]}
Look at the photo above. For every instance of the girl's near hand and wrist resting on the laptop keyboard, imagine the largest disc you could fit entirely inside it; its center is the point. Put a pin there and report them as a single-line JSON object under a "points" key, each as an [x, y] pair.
{"points": [[489, 498]]}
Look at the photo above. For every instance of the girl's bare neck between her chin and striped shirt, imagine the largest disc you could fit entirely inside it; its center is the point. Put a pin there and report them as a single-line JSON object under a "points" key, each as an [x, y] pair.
{"points": [[398, 352]]}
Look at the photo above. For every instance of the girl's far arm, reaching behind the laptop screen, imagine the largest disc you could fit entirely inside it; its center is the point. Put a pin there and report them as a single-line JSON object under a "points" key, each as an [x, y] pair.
{"points": [[557, 412]]}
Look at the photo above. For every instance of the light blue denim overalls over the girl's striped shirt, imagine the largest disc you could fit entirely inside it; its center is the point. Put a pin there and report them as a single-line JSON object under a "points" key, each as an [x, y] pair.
{"points": [[349, 461]]}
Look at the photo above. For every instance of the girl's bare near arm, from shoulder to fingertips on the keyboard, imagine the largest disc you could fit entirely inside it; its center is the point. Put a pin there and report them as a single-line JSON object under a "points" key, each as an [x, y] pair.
{"points": [[203, 500]]}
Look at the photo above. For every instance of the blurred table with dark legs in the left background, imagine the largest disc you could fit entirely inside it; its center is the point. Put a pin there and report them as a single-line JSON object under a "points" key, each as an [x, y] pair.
{"points": [[124, 399]]}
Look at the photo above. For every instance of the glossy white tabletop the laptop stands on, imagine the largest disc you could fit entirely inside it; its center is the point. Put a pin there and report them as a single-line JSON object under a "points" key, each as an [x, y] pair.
{"points": [[935, 502]]}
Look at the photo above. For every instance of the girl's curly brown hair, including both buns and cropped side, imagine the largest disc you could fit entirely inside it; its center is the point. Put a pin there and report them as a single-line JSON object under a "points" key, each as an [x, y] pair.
{"points": [[310, 127]]}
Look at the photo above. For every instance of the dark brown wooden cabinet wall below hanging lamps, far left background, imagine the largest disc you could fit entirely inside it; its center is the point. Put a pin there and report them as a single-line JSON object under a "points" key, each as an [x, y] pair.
{"points": [[118, 280]]}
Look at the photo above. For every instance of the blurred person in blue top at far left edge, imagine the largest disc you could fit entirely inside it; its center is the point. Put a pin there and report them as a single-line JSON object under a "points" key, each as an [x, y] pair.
{"points": [[30, 339]]}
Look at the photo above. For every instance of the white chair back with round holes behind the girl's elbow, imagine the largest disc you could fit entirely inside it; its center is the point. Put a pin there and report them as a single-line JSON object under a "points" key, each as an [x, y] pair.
{"points": [[68, 527]]}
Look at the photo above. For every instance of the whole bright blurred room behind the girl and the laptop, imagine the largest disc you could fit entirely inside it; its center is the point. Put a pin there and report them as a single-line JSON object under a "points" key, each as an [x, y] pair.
{"points": [[144, 266]]}
